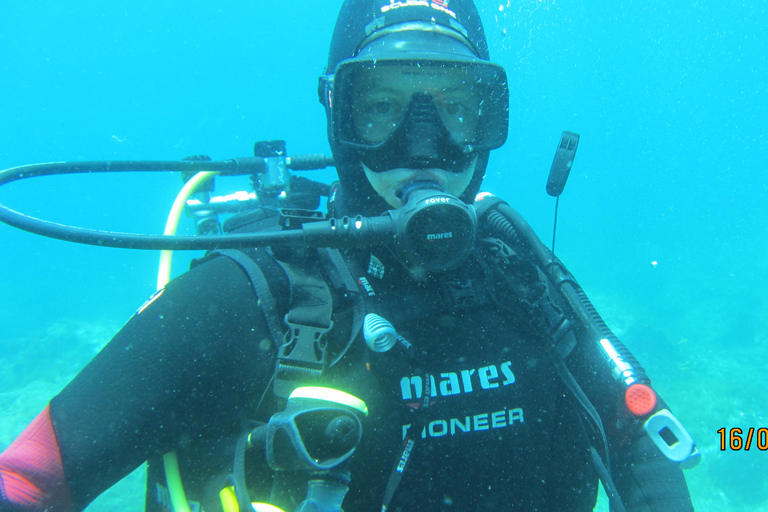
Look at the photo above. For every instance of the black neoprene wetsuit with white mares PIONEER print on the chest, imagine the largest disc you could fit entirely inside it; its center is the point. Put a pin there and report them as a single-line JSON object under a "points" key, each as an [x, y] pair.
{"points": [[502, 433]]}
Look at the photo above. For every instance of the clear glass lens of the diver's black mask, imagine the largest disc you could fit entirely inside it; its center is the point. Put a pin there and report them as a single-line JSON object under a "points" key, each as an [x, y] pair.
{"points": [[371, 99]]}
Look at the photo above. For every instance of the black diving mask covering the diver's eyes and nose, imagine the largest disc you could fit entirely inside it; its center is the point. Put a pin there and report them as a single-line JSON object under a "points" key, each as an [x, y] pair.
{"points": [[424, 112]]}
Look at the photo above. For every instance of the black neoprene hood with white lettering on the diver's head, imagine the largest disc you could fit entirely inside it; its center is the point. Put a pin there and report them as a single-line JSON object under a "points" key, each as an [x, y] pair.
{"points": [[361, 22]]}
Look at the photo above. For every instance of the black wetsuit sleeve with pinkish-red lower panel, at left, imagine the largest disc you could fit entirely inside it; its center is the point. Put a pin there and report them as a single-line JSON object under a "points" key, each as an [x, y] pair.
{"points": [[190, 364]]}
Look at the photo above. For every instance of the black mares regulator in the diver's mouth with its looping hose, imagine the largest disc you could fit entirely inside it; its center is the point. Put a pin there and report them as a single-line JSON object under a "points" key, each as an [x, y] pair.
{"points": [[434, 230]]}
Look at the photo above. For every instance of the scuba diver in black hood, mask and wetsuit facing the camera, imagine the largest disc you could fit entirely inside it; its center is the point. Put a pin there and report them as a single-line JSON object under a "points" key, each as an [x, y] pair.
{"points": [[447, 370]]}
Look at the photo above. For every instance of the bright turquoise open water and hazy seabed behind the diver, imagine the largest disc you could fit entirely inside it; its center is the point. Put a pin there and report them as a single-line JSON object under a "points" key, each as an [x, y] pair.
{"points": [[663, 220]]}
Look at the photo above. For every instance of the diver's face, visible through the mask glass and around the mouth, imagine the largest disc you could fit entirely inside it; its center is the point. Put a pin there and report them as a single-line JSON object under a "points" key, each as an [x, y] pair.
{"points": [[382, 98]]}
